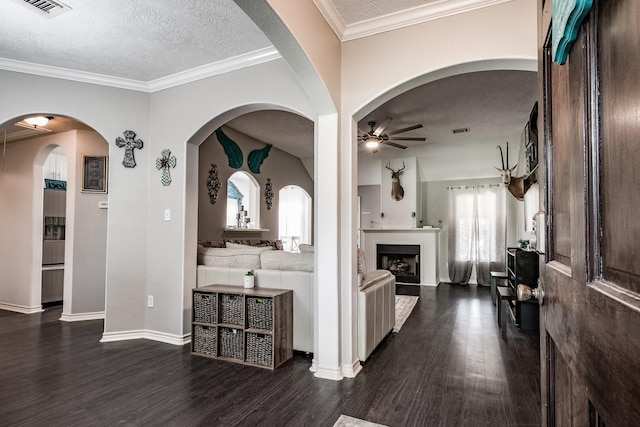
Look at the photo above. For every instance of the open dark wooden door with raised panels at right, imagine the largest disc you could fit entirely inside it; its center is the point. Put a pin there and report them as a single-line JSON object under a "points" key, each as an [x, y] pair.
{"points": [[590, 317]]}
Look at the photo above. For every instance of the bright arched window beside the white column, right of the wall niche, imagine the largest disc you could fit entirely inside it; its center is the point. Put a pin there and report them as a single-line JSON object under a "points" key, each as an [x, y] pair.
{"points": [[294, 217]]}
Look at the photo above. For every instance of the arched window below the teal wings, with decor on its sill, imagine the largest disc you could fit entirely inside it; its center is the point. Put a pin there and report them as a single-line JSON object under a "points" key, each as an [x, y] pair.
{"points": [[243, 203]]}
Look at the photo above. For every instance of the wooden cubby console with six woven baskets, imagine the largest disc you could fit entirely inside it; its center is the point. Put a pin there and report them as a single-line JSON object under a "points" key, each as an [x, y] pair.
{"points": [[250, 326]]}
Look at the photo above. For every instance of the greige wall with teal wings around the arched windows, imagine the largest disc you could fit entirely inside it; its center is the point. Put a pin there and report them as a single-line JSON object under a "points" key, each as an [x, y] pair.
{"points": [[283, 169]]}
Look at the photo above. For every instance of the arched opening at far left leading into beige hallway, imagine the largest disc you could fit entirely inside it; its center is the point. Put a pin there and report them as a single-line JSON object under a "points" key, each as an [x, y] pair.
{"points": [[55, 251]]}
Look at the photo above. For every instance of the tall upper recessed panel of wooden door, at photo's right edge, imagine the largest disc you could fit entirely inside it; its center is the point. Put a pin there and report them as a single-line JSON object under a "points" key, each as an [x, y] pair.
{"points": [[621, 132]]}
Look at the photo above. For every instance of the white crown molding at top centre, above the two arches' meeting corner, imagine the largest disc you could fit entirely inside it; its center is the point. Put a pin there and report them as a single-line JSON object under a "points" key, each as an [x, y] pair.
{"points": [[400, 19]]}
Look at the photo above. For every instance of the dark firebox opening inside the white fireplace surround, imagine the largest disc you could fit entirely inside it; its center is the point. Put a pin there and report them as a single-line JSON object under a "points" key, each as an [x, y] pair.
{"points": [[403, 261]]}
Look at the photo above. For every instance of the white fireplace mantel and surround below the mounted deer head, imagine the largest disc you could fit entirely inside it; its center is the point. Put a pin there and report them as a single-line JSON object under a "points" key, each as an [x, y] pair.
{"points": [[427, 238]]}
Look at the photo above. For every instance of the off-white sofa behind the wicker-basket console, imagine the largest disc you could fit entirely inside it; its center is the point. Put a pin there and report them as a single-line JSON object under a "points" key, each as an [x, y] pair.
{"points": [[285, 270]]}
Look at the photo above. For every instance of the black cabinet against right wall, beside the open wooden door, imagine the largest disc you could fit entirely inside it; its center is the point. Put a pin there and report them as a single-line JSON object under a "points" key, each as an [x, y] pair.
{"points": [[522, 268]]}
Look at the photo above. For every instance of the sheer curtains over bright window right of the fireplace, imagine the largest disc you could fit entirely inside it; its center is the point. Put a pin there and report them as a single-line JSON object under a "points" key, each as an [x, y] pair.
{"points": [[477, 224]]}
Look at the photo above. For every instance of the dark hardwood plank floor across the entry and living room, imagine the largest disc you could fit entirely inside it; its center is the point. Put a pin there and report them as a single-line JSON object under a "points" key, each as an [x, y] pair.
{"points": [[448, 366]]}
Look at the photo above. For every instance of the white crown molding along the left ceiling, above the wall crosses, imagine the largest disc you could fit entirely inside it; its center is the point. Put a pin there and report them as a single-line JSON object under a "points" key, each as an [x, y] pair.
{"points": [[246, 60]]}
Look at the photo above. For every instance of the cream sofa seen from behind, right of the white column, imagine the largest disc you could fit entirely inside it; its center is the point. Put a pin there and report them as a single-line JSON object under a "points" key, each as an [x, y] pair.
{"points": [[376, 307]]}
